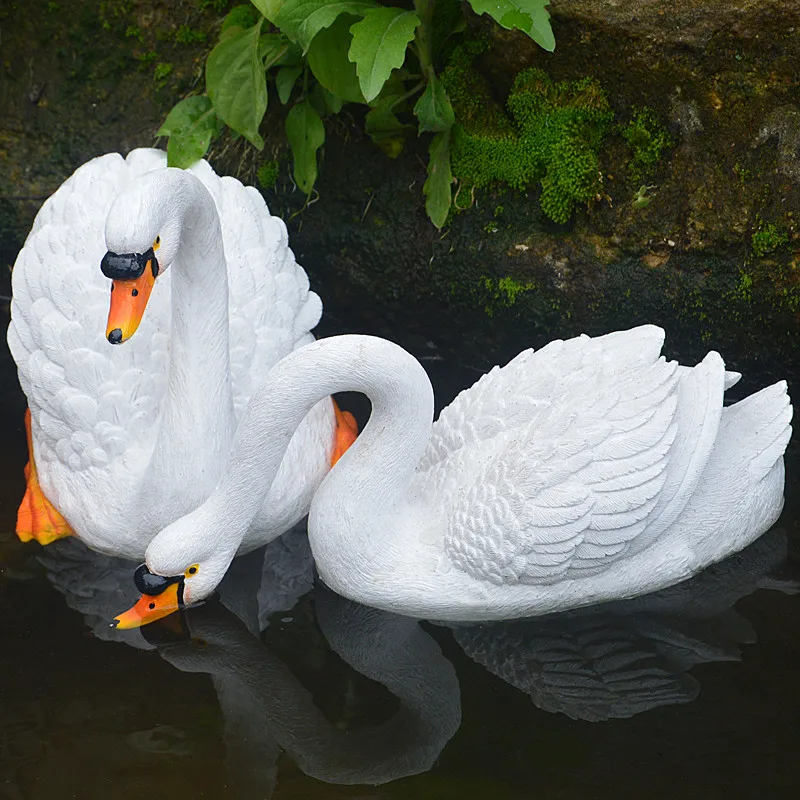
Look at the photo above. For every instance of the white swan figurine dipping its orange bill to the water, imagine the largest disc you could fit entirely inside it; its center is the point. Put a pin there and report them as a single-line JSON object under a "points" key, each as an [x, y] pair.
{"points": [[588, 471]]}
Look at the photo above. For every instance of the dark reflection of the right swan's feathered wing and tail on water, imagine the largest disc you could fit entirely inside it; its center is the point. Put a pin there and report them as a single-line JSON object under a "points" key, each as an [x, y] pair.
{"points": [[623, 658]]}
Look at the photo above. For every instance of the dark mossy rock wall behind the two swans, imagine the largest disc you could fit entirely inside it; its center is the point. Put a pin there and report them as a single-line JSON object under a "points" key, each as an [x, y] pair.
{"points": [[713, 255]]}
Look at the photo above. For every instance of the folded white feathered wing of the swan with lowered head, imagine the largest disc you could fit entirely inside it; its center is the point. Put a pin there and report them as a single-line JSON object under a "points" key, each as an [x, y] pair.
{"points": [[596, 465]]}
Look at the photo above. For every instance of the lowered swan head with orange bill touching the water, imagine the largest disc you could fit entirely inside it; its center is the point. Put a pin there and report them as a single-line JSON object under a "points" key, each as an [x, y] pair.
{"points": [[184, 564]]}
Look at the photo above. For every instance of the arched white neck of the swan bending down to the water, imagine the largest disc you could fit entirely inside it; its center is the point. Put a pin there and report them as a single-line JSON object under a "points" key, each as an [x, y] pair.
{"points": [[375, 471]]}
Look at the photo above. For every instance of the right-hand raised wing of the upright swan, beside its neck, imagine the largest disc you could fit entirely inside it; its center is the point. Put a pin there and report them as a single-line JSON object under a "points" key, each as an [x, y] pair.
{"points": [[271, 309]]}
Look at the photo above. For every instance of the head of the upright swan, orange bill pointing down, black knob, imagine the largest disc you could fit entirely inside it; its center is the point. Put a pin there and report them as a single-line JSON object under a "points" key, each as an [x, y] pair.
{"points": [[143, 232]]}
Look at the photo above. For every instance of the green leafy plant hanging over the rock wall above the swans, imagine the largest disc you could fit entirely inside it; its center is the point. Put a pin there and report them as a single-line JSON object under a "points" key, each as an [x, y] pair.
{"points": [[317, 55]]}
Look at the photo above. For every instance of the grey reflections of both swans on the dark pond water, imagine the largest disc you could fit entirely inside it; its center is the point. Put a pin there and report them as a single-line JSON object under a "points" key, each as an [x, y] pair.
{"points": [[610, 661]]}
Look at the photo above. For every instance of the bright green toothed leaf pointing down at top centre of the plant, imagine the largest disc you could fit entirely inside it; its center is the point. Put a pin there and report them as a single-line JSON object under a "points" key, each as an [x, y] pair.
{"points": [[379, 45]]}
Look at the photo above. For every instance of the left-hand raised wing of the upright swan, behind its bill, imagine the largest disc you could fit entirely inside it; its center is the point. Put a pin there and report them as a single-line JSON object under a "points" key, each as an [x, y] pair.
{"points": [[91, 403]]}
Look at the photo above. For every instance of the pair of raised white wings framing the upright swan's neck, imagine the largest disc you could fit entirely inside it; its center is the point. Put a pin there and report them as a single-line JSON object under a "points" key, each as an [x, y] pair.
{"points": [[93, 403]]}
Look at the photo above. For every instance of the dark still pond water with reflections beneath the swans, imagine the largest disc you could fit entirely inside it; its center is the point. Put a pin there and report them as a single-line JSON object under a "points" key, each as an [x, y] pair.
{"points": [[282, 689]]}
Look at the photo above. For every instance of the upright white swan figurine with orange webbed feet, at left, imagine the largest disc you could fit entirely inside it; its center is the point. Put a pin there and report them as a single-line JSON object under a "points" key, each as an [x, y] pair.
{"points": [[127, 438]]}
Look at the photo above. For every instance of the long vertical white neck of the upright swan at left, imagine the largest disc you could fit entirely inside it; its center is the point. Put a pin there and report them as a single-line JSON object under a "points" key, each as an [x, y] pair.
{"points": [[197, 419]]}
